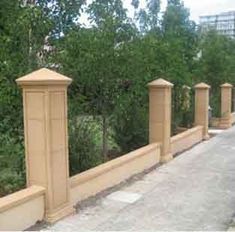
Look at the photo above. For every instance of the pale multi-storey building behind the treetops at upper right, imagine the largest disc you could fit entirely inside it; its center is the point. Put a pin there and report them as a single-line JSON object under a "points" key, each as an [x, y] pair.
{"points": [[224, 23]]}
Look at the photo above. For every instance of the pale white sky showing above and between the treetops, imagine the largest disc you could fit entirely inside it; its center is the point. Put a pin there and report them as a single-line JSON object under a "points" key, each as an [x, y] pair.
{"points": [[197, 7]]}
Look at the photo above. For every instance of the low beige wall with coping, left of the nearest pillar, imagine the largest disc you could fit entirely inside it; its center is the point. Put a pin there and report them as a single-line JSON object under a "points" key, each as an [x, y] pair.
{"points": [[20, 210]]}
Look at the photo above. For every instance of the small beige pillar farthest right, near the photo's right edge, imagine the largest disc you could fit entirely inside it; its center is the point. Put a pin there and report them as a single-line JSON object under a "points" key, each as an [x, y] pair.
{"points": [[226, 106]]}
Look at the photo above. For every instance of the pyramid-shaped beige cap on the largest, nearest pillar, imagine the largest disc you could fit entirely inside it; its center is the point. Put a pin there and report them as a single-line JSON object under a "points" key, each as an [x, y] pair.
{"points": [[43, 76]]}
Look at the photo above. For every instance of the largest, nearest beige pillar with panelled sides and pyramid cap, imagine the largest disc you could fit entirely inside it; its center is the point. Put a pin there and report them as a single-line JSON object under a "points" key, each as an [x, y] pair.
{"points": [[46, 139]]}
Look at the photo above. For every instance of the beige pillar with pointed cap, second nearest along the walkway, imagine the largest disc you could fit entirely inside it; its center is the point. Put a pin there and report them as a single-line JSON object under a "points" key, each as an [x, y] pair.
{"points": [[160, 116]]}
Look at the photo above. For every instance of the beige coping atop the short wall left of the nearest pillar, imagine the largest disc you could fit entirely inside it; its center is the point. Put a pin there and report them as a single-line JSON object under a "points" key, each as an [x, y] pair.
{"points": [[20, 197]]}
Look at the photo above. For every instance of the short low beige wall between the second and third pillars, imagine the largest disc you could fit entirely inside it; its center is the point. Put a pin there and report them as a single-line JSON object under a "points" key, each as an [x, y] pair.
{"points": [[187, 139]]}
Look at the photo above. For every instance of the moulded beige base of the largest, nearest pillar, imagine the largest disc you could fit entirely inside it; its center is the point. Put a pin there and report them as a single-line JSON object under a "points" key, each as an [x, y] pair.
{"points": [[61, 213]]}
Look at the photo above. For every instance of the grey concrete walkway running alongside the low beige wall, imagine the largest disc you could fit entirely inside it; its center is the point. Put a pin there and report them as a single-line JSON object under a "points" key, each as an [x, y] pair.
{"points": [[195, 191]]}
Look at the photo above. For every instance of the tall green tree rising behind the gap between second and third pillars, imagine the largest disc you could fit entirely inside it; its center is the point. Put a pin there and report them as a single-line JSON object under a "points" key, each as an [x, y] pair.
{"points": [[180, 35]]}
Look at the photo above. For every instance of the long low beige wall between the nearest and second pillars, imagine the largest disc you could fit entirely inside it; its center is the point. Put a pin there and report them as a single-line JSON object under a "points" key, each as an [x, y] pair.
{"points": [[109, 174]]}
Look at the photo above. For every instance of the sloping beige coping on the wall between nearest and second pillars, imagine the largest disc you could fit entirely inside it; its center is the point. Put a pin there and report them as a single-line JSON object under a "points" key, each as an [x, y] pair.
{"points": [[103, 168]]}
